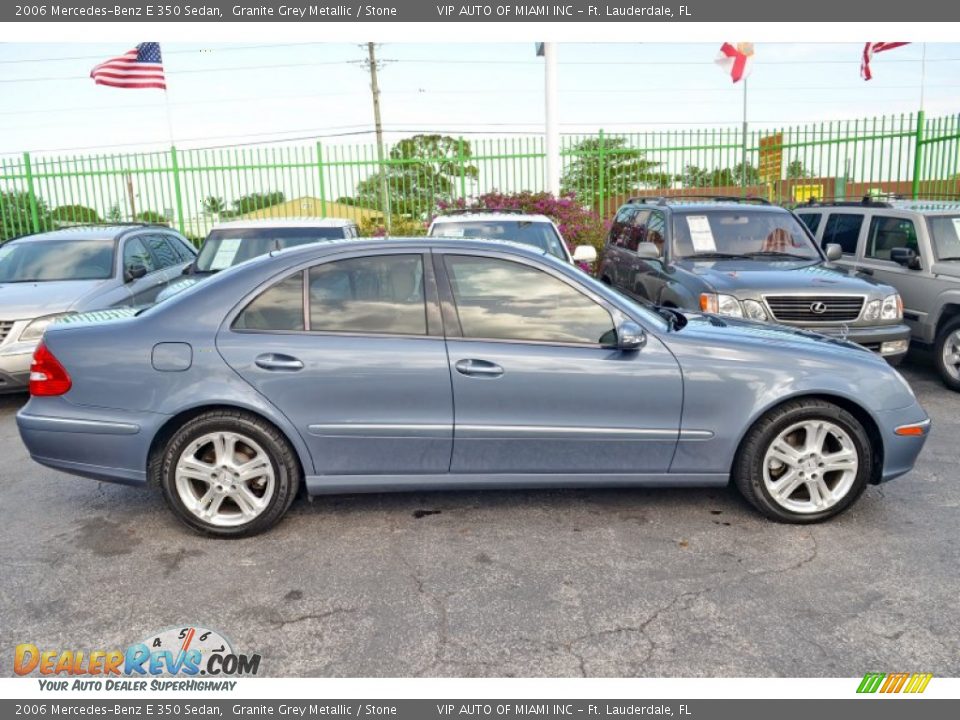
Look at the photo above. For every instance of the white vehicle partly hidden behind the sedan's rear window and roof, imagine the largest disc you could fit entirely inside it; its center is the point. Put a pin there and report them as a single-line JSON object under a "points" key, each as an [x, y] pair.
{"points": [[233, 242]]}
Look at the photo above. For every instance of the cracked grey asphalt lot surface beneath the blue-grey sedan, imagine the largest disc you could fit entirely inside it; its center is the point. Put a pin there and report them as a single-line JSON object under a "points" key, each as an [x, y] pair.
{"points": [[563, 583]]}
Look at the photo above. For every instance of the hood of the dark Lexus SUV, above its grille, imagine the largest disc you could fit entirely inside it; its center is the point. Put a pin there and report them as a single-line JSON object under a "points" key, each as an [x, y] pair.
{"points": [[780, 275]]}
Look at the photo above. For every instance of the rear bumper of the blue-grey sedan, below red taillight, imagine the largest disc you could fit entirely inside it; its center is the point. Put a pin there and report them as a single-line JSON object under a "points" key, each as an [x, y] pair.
{"points": [[107, 445]]}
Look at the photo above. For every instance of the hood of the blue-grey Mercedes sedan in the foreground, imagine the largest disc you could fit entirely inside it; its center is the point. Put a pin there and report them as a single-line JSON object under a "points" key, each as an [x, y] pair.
{"points": [[714, 329]]}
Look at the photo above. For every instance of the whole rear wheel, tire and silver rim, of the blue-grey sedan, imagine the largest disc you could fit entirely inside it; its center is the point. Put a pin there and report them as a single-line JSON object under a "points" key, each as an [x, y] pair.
{"points": [[229, 474]]}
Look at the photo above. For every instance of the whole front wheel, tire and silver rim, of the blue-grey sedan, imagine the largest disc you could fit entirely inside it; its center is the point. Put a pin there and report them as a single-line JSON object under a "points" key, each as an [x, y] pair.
{"points": [[803, 462]]}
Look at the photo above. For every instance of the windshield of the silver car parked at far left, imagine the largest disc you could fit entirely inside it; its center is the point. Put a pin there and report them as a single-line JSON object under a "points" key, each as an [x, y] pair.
{"points": [[52, 260]]}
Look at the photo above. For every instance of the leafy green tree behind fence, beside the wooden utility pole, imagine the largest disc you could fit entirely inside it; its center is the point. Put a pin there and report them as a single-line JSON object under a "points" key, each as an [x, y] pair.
{"points": [[421, 170]]}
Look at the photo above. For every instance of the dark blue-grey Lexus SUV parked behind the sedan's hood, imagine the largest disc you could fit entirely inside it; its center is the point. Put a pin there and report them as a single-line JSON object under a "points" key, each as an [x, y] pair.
{"points": [[744, 257]]}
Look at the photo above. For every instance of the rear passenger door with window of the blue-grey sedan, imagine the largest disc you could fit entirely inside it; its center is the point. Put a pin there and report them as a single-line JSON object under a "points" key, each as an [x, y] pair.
{"points": [[351, 350]]}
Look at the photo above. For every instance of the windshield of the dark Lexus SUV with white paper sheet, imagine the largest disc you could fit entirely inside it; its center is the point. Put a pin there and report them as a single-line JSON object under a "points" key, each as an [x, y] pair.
{"points": [[741, 233]]}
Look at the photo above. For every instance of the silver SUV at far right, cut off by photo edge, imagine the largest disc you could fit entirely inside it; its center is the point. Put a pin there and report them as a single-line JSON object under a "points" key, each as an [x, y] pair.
{"points": [[913, 245]]}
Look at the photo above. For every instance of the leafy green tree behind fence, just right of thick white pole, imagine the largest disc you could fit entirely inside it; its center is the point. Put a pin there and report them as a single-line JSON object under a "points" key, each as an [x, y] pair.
{"points": [[624, 169]]}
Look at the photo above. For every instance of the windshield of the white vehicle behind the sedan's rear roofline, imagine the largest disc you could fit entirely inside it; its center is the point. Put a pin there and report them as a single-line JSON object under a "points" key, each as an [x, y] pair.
{"points": [[225, 248]]}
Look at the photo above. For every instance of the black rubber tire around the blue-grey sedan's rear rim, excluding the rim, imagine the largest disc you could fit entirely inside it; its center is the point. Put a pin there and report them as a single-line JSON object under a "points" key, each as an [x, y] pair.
{"points": [[282, 458]]}
